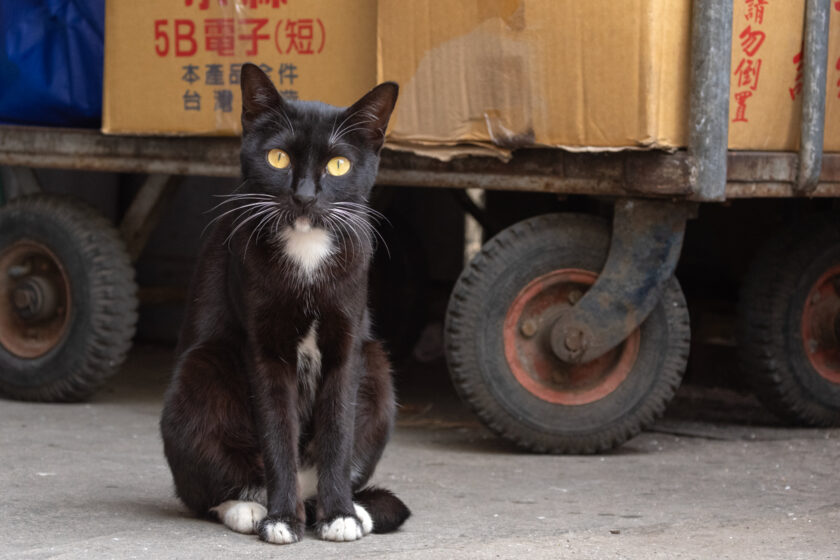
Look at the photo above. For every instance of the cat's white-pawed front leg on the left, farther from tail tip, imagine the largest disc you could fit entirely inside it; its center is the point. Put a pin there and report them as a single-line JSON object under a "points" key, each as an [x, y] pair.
{"points": [[275, 395]]}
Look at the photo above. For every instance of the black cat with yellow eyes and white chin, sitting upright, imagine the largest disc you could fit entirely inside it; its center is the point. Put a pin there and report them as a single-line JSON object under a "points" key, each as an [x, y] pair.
{"points": [[281, 402]]}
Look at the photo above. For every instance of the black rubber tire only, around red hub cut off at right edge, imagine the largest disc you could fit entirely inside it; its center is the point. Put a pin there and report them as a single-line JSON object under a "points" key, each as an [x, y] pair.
{"points": [[771, 303]]}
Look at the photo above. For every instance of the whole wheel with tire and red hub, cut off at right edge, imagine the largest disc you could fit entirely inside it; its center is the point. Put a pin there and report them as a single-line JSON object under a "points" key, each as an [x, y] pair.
{"points": [[789, 323]]}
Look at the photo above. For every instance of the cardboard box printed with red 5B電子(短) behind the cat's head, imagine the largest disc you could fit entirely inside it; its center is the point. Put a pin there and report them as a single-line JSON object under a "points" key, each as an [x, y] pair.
{"points": [[172, 66]]}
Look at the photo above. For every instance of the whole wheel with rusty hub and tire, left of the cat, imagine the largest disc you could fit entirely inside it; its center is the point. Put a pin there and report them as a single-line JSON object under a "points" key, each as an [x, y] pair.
{"points": [[67, 299]]}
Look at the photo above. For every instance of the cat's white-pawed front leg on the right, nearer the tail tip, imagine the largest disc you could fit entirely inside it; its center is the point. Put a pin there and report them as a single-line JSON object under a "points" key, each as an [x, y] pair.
{"points": [[337, 517]]}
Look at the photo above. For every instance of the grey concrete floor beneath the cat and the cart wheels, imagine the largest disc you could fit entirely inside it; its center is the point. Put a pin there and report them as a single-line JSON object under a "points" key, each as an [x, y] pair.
{"points": [[716, 479]]}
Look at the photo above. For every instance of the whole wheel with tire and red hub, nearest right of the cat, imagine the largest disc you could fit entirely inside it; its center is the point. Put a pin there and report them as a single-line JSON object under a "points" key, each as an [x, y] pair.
{"points": [[498, 342]]}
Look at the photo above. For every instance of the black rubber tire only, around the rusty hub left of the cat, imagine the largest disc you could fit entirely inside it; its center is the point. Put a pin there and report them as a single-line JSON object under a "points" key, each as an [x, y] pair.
{"points": [[103, 295]]}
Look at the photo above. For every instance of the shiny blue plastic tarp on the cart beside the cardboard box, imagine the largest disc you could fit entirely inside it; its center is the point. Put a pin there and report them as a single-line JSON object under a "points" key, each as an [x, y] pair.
{"points": [[51, 60]]}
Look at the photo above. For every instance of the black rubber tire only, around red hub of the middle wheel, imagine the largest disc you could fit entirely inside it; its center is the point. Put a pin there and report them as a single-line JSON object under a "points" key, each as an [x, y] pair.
{"points": [[475, 349]]}
